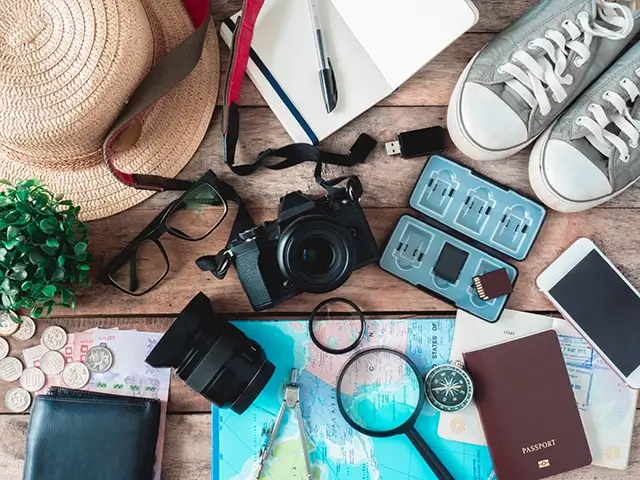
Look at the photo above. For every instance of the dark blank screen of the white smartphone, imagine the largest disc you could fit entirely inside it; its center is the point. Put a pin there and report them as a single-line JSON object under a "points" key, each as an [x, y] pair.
{"points": [[605, 307]]}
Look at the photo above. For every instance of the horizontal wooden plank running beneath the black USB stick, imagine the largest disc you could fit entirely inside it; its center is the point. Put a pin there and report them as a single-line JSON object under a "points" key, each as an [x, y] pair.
{"points": [[388, 181]]}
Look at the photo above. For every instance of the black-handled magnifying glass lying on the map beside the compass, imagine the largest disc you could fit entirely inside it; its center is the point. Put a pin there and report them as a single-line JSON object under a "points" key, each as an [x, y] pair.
{"points": [[381, 394]]}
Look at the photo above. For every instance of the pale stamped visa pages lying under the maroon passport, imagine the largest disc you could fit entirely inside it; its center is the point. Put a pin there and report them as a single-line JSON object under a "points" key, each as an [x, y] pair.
{"points": [[607, 405]]}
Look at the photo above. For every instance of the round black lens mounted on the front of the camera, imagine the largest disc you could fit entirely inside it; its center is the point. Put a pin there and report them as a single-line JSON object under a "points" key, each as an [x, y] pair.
{"points": [[316, 253]]}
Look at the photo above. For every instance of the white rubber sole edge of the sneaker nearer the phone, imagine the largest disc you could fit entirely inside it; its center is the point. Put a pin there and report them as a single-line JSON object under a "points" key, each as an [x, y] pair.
{"points": [[545, 191]]}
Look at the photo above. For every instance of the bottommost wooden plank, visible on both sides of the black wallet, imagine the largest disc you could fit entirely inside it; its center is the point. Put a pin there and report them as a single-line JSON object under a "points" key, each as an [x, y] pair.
{"points": [[187, 454]]}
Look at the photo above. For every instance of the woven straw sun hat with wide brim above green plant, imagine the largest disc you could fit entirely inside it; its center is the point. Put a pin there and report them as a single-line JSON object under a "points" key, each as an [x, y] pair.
{"points": [[67, 68]]}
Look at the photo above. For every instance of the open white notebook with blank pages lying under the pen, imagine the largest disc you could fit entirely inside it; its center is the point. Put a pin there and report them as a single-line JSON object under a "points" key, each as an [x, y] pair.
{"points": [[374, 46]]}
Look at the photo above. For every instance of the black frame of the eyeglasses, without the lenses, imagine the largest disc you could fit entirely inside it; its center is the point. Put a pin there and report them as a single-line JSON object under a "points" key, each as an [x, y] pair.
{"points": [[158, 227]]}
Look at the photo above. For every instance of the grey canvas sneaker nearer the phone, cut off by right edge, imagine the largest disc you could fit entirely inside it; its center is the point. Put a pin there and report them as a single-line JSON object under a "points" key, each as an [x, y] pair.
{"points": [[591, 153]]}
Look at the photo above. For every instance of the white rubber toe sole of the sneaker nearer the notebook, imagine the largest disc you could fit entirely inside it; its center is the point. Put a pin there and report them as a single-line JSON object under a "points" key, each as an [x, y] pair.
{"points": [[465, 144]]}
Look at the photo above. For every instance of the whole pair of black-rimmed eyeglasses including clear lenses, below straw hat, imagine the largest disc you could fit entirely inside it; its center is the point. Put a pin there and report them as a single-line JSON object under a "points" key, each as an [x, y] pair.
{"points": [[143, 264]]}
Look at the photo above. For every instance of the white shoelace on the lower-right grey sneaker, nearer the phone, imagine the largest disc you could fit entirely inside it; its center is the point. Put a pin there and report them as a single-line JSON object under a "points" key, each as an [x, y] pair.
{"points": [[604, 140]]}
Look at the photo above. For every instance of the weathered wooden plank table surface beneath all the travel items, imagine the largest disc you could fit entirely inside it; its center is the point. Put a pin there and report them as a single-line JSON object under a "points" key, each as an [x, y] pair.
{"points": [[388, 181]]}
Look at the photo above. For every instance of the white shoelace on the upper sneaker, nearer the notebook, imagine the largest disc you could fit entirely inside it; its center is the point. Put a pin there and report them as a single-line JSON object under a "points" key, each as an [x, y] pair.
{"points": [[534, 77]]}
